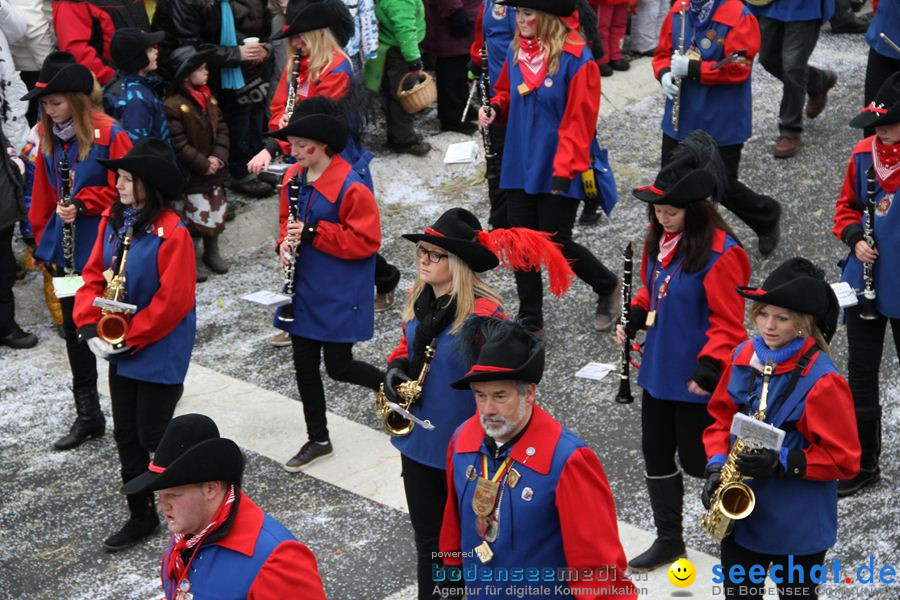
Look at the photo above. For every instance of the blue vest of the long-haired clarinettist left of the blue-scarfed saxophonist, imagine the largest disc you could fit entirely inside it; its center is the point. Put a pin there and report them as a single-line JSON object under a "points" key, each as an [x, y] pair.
{"points": [[679, 333]]}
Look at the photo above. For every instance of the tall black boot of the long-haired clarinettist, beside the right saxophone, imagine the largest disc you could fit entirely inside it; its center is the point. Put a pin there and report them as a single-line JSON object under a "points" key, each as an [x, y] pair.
{"points": [[666, 499]]}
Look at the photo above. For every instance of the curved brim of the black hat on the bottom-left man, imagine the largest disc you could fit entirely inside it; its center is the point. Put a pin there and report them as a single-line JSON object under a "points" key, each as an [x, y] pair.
{"points": [[210, 460]]}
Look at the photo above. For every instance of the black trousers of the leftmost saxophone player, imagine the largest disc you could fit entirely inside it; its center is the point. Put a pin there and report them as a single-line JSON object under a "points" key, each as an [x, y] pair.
{"points": [[141, 412]]}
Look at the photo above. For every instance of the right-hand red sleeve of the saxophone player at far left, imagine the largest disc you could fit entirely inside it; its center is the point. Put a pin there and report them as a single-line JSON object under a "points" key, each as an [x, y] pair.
{"points": [[175, 297]]}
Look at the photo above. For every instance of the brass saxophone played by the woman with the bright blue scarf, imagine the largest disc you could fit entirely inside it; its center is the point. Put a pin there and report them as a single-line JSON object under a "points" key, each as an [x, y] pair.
{"points": [[733, 499]]}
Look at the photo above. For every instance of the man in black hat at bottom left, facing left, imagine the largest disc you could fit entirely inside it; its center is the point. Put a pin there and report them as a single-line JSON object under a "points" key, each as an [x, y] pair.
{"points": [[222, 542]]}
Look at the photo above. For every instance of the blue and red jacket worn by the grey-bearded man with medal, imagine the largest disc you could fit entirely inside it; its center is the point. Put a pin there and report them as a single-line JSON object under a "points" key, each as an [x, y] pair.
{"points": [[560, 514]]}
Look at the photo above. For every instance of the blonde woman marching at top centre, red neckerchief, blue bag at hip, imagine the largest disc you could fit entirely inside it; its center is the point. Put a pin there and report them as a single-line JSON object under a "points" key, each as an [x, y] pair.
{"points": [[548, 93]]}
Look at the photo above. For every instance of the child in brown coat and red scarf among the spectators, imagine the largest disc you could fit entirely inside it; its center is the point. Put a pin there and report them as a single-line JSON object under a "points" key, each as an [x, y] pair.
{"points": [[200, 139]]}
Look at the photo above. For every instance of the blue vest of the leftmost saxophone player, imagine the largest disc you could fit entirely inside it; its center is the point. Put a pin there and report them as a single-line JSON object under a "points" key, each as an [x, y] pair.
{"points": [[167, 360]]}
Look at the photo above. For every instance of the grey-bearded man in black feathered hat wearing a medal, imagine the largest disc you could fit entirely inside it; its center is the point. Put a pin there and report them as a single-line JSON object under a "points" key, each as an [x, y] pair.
{"points": [[524, 492]]}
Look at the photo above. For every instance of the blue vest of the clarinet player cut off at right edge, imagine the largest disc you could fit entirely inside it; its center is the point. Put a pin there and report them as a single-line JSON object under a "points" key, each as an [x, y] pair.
{"points": [[887, 238]]}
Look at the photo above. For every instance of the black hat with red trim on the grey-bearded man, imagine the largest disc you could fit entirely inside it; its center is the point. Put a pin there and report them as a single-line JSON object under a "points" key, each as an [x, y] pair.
{"points": [[505, 351]]}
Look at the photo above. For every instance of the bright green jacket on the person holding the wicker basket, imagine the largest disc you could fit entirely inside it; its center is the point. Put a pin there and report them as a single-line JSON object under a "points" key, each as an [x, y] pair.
{"points": [[401, 24]]}
